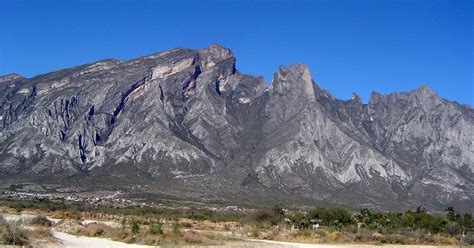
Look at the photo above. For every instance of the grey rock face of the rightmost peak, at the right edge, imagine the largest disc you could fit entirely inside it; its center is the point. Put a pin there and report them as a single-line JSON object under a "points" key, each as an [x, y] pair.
{"points": [[429, 132]]}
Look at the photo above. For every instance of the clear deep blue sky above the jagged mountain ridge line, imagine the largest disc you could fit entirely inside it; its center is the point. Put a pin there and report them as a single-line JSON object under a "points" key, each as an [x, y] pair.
{"points": [[349, 46]]}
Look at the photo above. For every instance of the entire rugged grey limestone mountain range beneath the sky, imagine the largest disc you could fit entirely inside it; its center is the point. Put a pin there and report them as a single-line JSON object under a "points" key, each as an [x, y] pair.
{"points": [[188, 121]]}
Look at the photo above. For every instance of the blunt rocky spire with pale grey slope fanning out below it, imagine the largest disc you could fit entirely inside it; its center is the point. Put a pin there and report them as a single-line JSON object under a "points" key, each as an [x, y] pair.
{"points": [[324, 159]]}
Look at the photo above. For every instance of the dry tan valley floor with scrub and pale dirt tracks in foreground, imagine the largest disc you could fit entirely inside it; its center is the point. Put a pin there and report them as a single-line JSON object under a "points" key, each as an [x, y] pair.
{"points": [[134, 228]]}
